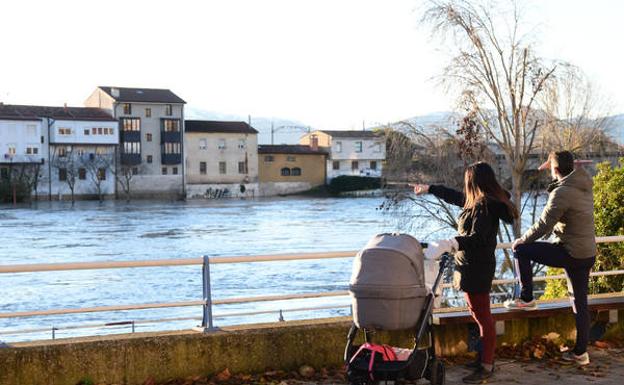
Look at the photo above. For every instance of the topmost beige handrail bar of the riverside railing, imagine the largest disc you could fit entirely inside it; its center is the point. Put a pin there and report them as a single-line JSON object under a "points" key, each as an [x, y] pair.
{"points": [[30, 268]]}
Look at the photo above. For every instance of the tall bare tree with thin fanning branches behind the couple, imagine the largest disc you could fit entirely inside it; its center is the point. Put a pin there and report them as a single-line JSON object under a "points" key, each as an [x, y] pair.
{"points": [[497, 74]]}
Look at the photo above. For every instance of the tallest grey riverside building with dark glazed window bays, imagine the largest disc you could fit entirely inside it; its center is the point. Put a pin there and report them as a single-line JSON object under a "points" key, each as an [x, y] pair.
{"points": [[151, 138]]}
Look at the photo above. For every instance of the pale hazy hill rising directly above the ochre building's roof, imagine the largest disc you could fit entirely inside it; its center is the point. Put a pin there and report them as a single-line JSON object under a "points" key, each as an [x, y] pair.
{"points": [[286, 131]]}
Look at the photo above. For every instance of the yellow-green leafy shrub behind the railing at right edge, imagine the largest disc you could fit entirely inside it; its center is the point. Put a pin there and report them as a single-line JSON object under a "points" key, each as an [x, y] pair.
{"points": [[609, 217]]}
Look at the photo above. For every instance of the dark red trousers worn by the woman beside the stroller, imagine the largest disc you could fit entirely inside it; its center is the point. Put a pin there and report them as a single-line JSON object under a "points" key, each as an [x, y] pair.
{"points": [[479, 306]]}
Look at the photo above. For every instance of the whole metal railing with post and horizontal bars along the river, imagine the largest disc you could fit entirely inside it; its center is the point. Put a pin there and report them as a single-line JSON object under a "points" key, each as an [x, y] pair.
{"points": [[207, 302]]}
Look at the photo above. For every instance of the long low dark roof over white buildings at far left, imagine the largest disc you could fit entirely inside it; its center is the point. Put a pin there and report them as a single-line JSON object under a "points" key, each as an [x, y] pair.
{"points": [[26, 112]]}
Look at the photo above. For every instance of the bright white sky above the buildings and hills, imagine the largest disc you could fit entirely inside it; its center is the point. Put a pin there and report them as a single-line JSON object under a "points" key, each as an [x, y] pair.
{"points": [[331, 64]]}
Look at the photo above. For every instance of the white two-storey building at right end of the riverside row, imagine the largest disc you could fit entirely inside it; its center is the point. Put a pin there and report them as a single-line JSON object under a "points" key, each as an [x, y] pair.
{"points": [[360, 153]]}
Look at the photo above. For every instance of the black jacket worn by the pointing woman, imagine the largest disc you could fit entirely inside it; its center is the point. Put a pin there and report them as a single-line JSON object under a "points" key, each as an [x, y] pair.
{"points": [[475, 262]]}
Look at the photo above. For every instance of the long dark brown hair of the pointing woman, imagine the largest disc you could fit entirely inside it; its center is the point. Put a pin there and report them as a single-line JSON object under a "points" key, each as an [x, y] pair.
{"points": [[480, 184]]}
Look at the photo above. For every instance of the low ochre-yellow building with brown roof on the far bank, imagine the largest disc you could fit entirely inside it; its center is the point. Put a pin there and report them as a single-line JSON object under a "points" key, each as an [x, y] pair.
{"points": [[288, 169]]}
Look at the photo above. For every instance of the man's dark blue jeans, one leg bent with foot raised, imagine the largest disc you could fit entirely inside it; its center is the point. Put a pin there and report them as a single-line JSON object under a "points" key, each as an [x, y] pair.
{"points": [[555, 255]]}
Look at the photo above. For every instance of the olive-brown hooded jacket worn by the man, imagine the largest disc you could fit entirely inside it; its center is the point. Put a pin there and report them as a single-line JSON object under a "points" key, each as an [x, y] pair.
{"points": [[569, 215]]}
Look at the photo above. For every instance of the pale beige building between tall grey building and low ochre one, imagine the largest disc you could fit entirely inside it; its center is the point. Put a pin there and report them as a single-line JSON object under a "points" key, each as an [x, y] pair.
{"points": [[221, 159]]}
